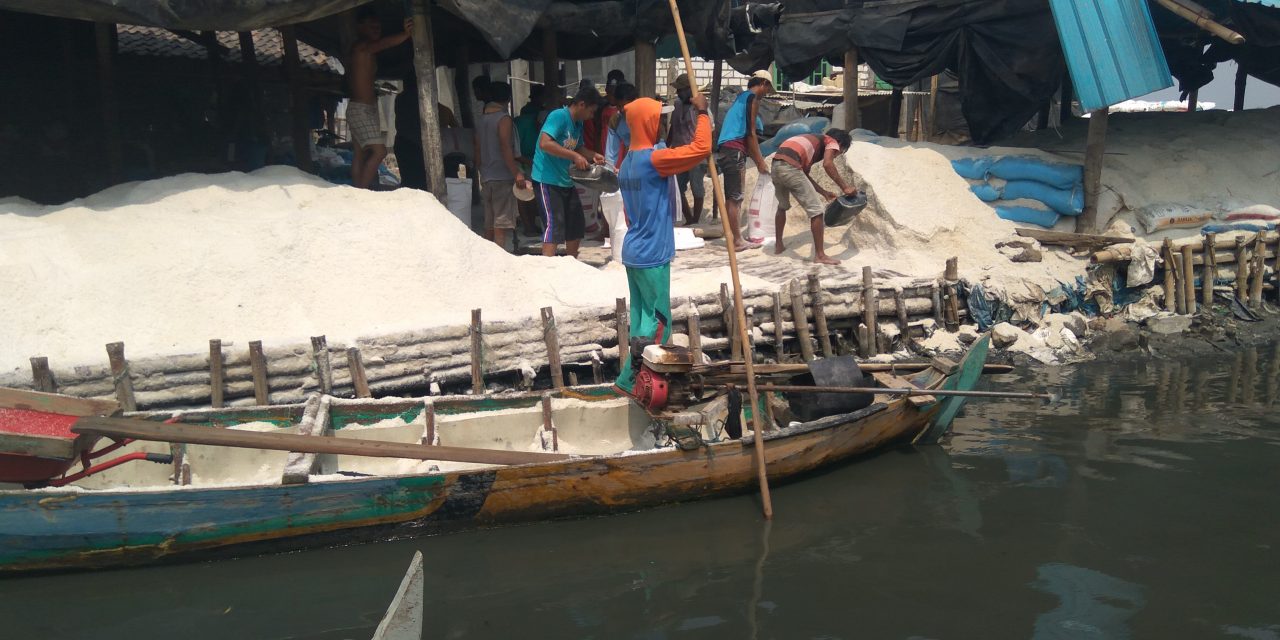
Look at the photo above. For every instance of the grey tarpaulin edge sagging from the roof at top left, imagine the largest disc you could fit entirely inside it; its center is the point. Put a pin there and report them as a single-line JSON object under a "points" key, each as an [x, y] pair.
{"points": [[188, 15]]}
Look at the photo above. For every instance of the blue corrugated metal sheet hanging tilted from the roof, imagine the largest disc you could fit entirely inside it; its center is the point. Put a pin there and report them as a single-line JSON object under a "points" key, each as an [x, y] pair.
{"points": [[1112, 49]]}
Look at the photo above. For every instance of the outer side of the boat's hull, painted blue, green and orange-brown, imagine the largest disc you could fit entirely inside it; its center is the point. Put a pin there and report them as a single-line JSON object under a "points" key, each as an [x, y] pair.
{"points": [[57, 531]]}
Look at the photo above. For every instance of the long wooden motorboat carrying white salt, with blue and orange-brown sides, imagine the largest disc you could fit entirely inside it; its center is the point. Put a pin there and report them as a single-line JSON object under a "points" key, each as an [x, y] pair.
{"points": [[249, 501]]}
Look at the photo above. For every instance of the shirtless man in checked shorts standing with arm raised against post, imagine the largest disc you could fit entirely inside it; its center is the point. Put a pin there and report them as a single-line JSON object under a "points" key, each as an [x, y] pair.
{"points": [[367, 132]]}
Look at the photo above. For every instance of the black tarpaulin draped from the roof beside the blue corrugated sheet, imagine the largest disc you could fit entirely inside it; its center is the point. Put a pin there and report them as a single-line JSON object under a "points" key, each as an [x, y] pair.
{"points": [[1005, 52]]}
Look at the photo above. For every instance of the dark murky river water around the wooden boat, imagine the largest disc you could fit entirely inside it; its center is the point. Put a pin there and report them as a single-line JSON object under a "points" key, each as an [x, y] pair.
{"points": [[1145, 505]]}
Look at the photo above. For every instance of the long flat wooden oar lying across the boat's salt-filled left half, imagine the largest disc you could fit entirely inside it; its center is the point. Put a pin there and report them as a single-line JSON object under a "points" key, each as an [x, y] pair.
{"points": [[176, 433]]}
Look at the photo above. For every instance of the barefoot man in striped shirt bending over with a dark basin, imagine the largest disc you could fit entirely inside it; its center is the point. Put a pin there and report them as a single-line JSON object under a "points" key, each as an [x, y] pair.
{"points": [[790, 173]]}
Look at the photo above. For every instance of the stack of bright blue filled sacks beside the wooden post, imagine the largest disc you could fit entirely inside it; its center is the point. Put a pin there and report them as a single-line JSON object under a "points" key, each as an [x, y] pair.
{"points": [[1060, 188]]}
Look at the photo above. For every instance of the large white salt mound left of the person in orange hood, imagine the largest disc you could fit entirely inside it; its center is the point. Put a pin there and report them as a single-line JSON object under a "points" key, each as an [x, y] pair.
{"points": [[276, 255]]}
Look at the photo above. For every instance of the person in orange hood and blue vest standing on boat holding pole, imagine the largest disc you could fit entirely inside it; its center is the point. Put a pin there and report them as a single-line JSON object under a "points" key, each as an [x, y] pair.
{"points": [[651, 205]]}
